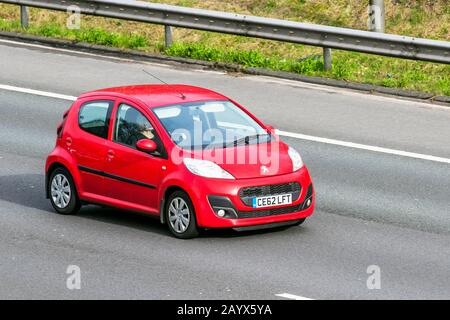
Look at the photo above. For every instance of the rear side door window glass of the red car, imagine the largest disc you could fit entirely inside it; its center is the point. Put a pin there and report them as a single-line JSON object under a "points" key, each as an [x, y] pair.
{"points": [[93, 117]]}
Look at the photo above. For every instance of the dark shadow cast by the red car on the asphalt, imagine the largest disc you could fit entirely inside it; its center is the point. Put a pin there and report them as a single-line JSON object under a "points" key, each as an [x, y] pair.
{"points": [[28, 190]]}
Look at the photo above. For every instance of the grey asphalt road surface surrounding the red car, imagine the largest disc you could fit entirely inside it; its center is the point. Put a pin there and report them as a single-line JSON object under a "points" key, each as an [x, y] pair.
{"points": [[372, 209]]}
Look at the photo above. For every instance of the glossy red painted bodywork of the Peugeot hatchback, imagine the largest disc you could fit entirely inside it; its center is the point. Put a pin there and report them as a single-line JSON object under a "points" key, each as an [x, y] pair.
{"points": [[75, 147]]}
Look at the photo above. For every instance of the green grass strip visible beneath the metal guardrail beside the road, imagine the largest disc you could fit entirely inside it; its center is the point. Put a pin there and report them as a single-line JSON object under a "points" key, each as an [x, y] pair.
{"points": [[248, 52]]}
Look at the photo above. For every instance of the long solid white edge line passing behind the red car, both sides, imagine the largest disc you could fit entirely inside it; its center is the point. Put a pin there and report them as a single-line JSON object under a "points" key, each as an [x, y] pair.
{"points": [[279, 132]]}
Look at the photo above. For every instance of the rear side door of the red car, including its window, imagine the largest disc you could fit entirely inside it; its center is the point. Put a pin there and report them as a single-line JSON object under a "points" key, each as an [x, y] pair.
{"points": [[87, 142]]}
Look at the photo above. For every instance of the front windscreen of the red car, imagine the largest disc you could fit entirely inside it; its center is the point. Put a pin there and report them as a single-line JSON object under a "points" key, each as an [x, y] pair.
{"points": [[210, 124]]}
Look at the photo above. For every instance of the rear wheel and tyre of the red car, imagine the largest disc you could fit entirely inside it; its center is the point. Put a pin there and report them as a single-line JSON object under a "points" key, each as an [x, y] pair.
{"points": [[62, 192]]}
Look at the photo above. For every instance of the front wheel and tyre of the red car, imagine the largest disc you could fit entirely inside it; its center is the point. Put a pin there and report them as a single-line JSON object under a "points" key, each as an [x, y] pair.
{"points": [[180, 216]]}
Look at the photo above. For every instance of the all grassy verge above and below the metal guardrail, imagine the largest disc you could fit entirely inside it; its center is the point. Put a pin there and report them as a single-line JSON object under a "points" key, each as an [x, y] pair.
{"points": [[429, 19]]}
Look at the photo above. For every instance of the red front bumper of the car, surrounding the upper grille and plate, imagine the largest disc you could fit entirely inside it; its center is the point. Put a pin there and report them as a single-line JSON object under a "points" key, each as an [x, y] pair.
{"points": [[214, 192]]}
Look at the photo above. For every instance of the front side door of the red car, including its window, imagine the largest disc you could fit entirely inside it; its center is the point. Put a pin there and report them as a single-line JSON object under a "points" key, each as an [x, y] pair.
{"points": [[132, 175]]}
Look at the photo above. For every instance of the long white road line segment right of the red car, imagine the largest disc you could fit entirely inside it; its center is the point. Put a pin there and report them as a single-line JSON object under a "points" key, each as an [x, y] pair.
{"points": [[363, 147]]}
